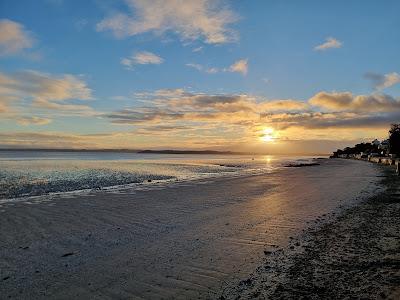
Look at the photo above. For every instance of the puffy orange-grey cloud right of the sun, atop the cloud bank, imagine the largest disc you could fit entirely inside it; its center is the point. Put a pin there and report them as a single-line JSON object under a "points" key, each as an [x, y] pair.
{"points": [[347, 102]]}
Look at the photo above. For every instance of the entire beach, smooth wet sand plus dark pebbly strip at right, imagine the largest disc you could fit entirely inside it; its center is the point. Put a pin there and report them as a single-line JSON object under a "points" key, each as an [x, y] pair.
{"points": [[277, 234]]}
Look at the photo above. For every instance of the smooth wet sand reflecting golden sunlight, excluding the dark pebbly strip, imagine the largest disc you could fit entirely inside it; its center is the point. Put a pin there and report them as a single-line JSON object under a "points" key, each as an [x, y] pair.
{"points": [[188, 240]]}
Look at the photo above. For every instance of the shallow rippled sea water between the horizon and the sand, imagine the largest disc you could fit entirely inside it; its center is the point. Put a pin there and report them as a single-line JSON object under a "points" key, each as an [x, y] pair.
{"points": [[35, 173]]}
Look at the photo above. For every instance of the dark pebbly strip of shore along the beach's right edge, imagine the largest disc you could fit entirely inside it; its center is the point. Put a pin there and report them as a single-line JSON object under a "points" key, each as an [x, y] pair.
{"points": [[356, 255]]}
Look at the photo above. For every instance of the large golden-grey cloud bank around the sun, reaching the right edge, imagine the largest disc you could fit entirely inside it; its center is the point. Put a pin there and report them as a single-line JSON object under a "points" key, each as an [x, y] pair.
{"points": [[173, 113]]}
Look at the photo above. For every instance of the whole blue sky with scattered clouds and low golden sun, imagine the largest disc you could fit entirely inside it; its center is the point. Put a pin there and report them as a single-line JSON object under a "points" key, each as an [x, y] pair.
{"points": [[267, 76]]}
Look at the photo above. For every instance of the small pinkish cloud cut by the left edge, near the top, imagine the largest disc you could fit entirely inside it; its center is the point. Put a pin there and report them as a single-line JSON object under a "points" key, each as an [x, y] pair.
{"points": [[13, 38]]}
